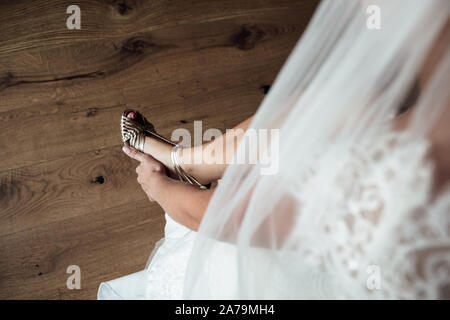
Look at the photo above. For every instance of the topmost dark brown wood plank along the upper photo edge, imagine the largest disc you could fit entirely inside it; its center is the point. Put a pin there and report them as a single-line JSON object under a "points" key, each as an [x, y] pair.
{"points": [[42, 24]]}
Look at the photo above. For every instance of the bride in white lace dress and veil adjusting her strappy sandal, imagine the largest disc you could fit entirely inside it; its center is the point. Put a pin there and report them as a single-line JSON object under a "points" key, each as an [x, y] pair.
{"points": [[359, 206]]}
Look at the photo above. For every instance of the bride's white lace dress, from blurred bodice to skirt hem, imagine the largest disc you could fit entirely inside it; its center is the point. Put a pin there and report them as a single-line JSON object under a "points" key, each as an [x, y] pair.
{"points": [[377, 233]]}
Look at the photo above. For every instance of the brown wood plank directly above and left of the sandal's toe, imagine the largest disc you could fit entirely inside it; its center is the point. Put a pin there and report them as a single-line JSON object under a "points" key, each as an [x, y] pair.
{"points": [[54, 108]]}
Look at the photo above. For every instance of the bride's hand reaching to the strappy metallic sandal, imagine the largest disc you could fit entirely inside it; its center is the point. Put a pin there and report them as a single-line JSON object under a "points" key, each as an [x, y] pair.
{"points": [[150, 171]]}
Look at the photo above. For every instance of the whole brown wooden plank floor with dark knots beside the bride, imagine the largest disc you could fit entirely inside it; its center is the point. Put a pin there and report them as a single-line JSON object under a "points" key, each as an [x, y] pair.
{"points": [[68, 196]]}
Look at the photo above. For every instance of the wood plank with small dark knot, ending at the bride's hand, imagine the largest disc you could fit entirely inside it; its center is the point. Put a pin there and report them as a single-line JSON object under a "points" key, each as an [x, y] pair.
{"points": [[39, 194]]}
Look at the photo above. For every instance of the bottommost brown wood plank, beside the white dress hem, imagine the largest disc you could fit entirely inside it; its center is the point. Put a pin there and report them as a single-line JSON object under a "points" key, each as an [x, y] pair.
{"points": [[34, 262]]}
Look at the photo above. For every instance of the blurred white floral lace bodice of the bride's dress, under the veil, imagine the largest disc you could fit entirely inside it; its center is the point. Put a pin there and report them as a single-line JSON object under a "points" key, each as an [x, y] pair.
{"points": [[378, 194]]}
